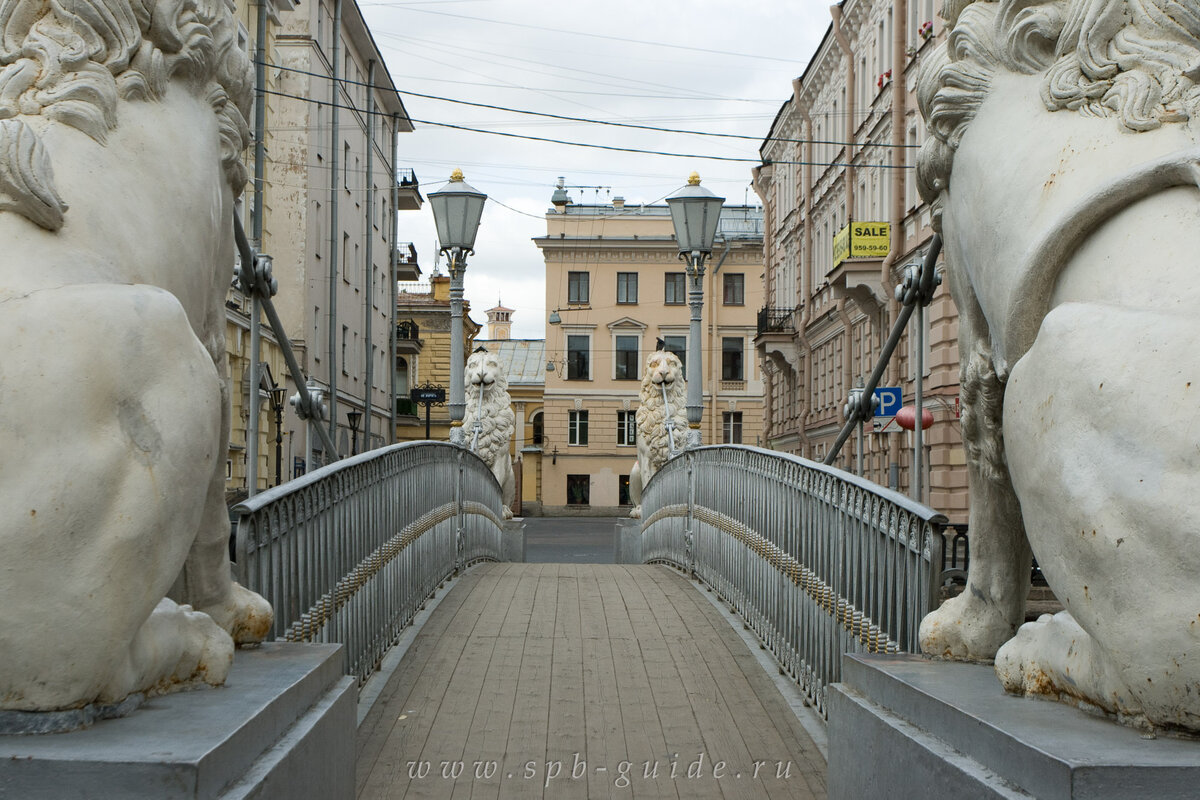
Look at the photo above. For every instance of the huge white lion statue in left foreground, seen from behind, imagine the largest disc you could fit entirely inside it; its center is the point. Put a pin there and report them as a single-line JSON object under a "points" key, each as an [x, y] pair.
{"points": [[115, 388]]}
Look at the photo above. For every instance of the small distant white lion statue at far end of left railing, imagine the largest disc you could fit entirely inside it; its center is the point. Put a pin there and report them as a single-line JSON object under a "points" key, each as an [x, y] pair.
{"points": [[490, 406]]}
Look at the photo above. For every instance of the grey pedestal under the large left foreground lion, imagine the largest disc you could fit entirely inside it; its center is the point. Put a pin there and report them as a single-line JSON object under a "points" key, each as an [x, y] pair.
{"points": [[284, 726]]}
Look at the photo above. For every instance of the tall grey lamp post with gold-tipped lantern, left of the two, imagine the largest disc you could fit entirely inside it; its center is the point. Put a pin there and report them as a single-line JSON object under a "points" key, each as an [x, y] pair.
{"points": [[458, 209]]}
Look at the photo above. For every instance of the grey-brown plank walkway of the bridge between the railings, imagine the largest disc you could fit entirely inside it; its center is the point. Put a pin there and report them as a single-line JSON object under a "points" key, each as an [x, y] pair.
{"points": [[578, 682]]}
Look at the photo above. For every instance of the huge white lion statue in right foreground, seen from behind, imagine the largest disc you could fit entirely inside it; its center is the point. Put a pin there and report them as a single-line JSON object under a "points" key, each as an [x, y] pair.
{"points": [[1065, 148]]}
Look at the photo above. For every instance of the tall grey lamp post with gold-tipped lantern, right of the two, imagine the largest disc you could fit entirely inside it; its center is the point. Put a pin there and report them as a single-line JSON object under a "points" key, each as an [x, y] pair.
{"points": [[695, 213]]}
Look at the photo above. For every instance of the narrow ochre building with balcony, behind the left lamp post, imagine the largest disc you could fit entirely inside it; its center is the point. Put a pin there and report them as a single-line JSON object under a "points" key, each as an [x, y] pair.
{"points": [[423, 356]]}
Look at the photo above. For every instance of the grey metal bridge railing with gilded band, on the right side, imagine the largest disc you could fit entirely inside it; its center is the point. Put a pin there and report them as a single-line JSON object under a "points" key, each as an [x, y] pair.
{"points": [[817, 561]]}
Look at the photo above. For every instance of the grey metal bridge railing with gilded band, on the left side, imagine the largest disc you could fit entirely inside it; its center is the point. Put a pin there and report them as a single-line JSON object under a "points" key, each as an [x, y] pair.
{"points": [[351, 552]]}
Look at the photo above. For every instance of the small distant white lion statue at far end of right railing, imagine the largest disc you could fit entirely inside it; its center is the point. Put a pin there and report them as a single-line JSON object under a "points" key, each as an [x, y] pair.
{"points": [[663, 400]]}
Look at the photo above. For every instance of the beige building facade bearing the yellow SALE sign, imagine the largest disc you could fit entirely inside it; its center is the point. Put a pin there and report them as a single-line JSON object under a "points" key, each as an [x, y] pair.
{"points": [[843, 221]]}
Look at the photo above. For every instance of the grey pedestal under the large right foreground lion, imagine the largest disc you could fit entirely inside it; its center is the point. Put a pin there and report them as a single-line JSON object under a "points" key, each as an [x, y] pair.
{"points": [[907, 727]]}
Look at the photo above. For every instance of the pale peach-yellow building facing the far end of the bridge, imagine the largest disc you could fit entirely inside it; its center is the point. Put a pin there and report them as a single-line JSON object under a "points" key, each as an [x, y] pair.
{"points": [[615, 286]]}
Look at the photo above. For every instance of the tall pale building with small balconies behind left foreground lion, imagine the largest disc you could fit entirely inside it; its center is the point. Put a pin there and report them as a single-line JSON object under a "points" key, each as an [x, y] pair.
{"points": [[331, 220]]}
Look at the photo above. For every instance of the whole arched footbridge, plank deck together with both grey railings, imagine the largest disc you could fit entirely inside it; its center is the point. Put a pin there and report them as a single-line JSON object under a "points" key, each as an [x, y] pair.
{"points": [[574, 681]]}
